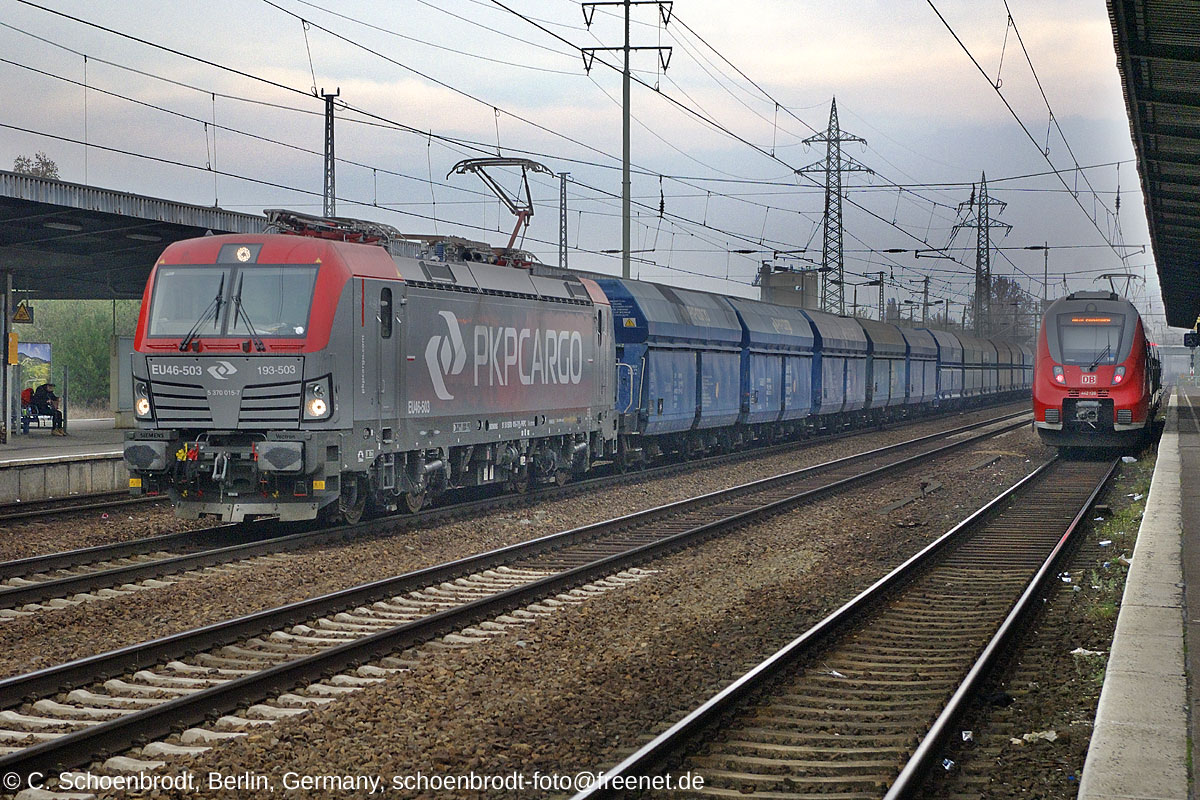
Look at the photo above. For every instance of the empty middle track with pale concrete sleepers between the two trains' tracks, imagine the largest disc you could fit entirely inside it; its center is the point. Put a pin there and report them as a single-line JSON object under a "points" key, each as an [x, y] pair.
{"points": [[68, 715]]}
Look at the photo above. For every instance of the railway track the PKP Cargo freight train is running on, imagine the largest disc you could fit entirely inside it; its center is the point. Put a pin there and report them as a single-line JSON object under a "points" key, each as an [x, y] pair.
{"points": [[33, 585]]}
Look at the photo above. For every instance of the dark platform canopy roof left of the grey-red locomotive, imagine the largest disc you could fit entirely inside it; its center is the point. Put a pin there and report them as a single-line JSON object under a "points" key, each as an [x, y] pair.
{"points": [[67, 240]]}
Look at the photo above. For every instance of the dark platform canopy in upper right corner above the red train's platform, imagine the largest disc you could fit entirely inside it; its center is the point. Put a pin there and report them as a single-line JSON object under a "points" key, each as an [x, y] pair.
{"points": [[1159, 57]]}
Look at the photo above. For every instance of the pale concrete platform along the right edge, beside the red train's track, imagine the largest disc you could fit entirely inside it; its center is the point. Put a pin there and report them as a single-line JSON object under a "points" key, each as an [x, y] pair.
{"points": [[1148, 715]]}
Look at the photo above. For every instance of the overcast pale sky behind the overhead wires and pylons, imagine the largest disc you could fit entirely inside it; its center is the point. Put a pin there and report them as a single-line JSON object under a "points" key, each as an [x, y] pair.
{"points": [[429, 83]]}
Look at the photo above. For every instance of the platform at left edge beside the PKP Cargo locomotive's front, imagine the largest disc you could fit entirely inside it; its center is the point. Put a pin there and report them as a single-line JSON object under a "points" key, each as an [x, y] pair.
{"points": [[40, 467]]}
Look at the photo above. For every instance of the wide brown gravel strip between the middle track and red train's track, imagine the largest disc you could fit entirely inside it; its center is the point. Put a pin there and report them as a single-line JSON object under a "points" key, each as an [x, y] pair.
{"points": [[581, 689]]}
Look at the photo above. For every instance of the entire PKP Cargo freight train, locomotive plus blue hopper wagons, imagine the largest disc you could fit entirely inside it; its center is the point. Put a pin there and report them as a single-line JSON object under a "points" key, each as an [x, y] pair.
{"points": [[335, 366]]}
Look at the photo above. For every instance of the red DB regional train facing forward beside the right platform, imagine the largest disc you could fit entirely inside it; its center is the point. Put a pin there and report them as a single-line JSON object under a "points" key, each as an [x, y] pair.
{"points": [[1096, 378]]}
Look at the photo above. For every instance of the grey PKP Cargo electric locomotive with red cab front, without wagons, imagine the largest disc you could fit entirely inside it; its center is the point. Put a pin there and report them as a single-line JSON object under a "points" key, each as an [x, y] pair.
{"points": [[338, 365]]}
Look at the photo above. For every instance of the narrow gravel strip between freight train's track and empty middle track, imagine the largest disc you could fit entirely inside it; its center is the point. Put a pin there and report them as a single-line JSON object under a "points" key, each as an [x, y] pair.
{"points": [[58, 636]]}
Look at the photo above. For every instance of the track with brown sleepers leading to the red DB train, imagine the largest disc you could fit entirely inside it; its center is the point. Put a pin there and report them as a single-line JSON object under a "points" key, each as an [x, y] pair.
{"points": [[861, 706]]}
